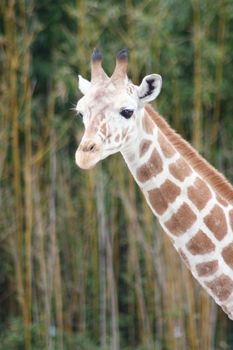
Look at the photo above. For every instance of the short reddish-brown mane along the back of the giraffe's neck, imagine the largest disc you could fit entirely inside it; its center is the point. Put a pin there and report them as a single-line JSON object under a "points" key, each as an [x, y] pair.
{"points": [[212, 176]]}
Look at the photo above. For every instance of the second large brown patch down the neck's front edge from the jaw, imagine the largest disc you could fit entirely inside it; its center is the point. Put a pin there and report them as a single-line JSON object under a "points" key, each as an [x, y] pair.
{"points": [[161, 197]]}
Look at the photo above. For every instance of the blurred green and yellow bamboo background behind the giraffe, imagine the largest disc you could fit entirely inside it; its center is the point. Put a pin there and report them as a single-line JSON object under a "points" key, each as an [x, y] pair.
{"points": [[83, 263]]}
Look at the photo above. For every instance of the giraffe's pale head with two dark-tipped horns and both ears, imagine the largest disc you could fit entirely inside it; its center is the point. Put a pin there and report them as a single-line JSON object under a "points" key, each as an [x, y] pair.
{"points": [[111, 109]]}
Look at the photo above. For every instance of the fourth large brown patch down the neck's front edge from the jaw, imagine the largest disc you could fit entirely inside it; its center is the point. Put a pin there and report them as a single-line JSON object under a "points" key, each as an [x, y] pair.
{"points": [[200, 244]]}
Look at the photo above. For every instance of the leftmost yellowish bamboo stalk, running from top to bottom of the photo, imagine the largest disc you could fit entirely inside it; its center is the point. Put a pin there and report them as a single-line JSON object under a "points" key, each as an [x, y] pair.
{"points": [[12, 56]]}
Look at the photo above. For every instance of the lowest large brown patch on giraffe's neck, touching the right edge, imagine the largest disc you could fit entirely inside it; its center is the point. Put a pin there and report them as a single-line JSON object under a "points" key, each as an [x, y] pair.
{"points": [[221, 287]]}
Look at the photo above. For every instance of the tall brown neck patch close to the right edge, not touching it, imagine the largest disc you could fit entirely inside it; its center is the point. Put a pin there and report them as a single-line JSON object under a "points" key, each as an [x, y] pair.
{"points": [[216, 222]]}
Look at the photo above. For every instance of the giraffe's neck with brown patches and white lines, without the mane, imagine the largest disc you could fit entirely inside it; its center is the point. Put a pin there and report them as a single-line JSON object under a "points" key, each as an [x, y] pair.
{"points": [[198, 221]]}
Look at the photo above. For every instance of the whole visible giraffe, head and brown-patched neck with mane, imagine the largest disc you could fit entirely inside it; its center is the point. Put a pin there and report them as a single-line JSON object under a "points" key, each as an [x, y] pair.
{"points": [[192, 201]]}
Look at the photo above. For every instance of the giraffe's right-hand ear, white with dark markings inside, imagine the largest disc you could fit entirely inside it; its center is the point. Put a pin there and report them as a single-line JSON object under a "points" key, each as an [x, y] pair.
{"points": [[150, 88]]}
